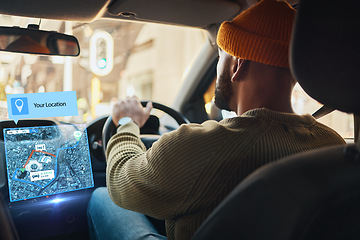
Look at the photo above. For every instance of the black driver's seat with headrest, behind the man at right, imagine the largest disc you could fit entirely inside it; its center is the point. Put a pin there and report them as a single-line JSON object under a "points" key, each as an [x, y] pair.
{"points": [[312, 195]]}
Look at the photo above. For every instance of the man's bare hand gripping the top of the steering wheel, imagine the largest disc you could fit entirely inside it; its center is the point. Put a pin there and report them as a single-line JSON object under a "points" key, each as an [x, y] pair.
{"points": [[131, 107]]}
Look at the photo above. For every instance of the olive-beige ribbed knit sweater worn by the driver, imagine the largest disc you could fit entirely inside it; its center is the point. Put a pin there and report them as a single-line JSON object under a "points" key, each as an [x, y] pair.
{"points": [[187, 172]]}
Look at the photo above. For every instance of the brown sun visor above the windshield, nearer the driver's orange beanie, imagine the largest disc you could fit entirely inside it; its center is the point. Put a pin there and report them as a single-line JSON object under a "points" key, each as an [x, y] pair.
{"points": [[196, 13]]}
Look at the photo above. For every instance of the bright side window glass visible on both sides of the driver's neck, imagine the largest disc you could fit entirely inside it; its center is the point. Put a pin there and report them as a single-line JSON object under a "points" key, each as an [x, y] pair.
{"points": [[302, 103]]}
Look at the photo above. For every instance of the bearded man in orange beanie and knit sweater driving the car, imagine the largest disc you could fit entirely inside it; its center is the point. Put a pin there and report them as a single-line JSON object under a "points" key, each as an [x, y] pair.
{"points": [[189, 171]]}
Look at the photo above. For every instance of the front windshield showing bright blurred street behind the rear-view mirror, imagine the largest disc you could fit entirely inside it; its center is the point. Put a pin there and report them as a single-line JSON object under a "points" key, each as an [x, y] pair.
{"points": [[117, 59]]}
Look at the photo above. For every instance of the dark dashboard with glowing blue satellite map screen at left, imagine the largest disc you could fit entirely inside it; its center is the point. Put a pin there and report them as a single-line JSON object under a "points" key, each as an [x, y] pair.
{"points": [[47, 175]]}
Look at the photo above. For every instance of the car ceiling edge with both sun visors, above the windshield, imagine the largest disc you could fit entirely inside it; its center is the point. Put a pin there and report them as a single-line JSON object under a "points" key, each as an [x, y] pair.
{"points": [[195, 13]]}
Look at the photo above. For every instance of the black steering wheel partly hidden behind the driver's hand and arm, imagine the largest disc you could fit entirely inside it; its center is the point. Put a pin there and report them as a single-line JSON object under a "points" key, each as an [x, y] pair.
{"points": [[109, 128]]}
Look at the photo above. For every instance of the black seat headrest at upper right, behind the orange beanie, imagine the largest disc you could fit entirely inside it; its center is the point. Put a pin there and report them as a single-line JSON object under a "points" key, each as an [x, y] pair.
{"points": [[325, 52]]}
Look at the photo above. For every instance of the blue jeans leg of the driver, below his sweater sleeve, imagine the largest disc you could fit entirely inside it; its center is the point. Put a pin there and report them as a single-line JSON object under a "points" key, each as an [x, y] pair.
{"points": [[108, 221]]}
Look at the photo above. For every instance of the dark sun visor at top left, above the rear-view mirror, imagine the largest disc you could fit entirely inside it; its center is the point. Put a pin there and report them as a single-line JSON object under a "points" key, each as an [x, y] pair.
{"points": [[72, 10]]}
